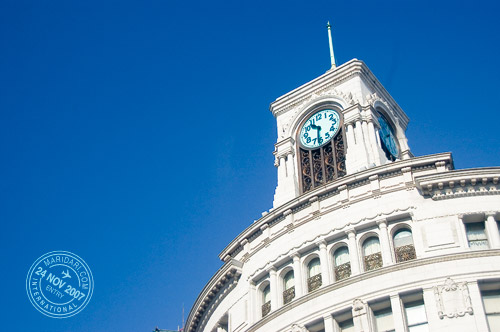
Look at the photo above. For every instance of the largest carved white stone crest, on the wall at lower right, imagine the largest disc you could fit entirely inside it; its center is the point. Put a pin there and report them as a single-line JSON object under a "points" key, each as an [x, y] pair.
{"points": [[453, 299]]}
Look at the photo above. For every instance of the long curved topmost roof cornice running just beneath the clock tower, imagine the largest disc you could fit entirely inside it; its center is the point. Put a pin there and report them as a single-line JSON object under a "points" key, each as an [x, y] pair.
{"points": [[303, 201]]}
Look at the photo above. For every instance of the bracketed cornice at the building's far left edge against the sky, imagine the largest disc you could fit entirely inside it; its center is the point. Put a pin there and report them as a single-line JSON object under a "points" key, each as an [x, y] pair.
{"points": [[227, 275]]}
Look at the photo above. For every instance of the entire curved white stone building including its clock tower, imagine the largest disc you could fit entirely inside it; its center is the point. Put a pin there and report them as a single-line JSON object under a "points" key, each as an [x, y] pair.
{"points": [[362, 236]]}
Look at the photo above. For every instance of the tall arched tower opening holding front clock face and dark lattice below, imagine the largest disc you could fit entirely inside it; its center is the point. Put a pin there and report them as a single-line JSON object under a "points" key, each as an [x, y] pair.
{"points": [[321, 149]]}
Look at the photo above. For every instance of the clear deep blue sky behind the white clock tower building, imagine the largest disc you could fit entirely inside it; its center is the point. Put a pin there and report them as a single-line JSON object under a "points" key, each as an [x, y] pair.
{"points": [[137, 134]]}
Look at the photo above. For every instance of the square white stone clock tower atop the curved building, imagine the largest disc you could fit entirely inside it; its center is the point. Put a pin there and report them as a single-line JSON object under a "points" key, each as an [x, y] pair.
{"points": [[334, 126]]}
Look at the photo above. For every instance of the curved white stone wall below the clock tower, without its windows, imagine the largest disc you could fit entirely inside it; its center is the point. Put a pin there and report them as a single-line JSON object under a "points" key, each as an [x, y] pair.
{"points": [[348, 218]]}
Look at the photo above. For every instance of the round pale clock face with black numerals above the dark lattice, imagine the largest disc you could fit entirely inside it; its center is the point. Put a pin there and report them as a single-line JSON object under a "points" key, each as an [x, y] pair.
{"points": [[319, 128]]}
